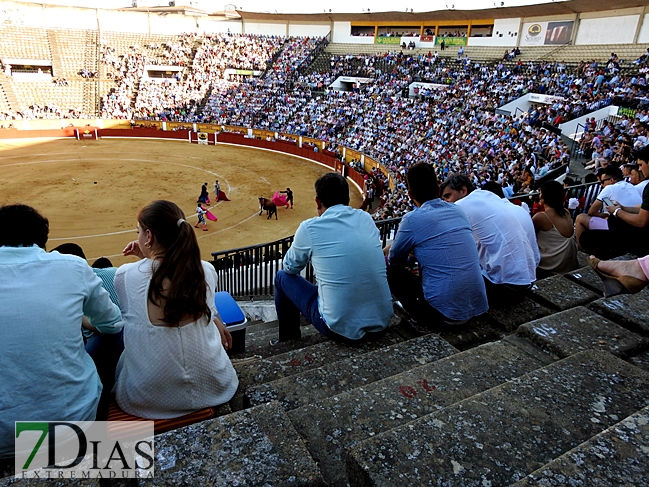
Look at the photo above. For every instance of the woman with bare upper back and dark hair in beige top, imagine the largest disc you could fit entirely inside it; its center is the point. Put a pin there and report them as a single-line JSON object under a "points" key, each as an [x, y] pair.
{"points": [[555, 231]]}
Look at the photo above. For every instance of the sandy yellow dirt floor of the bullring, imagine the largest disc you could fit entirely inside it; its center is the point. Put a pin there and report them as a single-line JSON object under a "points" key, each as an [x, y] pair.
{"points": [[91, 191]]}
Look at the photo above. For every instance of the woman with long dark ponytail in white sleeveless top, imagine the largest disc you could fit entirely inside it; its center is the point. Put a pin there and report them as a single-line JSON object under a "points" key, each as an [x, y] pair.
{"points": [[174, 361]]}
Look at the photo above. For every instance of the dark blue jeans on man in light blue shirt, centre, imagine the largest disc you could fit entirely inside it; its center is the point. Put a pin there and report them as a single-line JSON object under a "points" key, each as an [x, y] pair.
{"points": [[295, 295]]}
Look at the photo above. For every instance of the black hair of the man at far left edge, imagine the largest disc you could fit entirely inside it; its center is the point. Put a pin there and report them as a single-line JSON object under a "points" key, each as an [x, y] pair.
{"points": [[22, 226]]}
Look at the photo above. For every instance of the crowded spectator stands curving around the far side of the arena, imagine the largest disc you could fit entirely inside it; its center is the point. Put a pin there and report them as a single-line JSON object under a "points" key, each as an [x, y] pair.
{"points": [[404, 105]]}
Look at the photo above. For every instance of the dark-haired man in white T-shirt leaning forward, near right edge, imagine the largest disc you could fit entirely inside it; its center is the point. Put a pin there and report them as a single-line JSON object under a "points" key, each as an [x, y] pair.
{"points": [[614, 189]]}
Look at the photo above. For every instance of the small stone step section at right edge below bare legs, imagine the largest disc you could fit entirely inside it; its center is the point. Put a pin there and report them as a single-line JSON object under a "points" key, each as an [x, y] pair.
{"points": [[629, 310]]}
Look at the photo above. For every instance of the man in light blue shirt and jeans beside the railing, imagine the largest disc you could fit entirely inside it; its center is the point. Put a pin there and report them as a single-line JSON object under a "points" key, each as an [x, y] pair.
{"points": [[352, 296]]}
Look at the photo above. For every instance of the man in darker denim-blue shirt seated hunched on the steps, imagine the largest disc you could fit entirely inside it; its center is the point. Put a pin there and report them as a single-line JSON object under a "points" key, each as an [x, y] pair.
{"points": [[449, 287]]}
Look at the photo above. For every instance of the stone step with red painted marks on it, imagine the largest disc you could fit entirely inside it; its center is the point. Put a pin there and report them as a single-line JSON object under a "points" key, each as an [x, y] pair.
{"points": [[332, 425]]}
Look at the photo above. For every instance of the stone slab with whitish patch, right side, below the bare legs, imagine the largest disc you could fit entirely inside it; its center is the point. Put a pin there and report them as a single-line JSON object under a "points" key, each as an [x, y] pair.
{"points": [[579, 329]]}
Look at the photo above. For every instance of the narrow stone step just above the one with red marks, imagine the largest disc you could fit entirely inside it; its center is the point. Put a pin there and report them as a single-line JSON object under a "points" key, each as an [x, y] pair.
{"points": [[316, 384]]}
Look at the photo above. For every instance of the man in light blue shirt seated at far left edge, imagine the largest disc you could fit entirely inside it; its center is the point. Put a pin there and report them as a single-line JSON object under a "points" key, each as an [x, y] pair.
{"points": [[47, 374]]}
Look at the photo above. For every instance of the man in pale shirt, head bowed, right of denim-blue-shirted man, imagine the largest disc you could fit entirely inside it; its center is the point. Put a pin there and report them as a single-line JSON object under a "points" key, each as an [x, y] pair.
{"points": [[506, 255]]}
